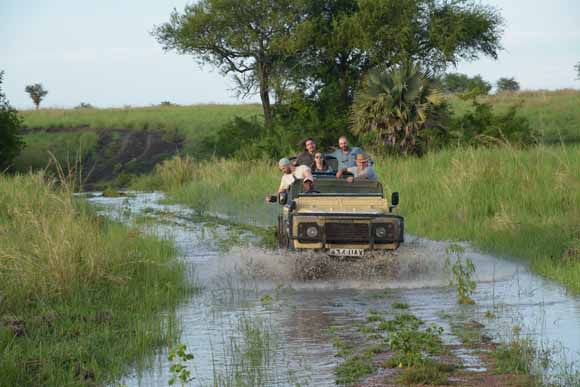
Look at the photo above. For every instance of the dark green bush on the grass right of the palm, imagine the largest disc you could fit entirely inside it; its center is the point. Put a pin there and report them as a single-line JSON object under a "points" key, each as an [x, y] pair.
{"points": [[481, 126]]}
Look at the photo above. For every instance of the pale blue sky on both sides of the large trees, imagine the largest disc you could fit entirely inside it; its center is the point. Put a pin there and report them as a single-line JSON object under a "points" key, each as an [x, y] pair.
{"points": [[102, 52]]}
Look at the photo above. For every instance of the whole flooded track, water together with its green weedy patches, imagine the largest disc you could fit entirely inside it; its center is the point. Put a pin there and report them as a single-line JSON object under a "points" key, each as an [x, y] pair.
{"points": [[263, 320]]}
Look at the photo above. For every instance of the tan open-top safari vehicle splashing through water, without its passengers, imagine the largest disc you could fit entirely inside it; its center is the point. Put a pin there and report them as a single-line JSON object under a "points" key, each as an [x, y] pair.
{"points": [[342, 218]]}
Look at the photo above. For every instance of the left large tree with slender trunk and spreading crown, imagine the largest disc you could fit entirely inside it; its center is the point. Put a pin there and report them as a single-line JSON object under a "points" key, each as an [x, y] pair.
{"points": [[244, 38]]}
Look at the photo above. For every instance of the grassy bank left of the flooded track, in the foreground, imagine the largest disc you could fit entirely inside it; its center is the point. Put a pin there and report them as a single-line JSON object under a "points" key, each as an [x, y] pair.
{"points": [[81, 298]]}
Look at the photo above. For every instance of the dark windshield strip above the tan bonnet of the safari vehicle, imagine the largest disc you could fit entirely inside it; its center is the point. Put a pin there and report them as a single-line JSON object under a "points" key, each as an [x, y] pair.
{"points": [[331, 186]]}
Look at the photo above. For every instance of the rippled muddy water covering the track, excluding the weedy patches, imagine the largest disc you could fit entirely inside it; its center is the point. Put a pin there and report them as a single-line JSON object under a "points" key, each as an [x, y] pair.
{"points": [[242, 283]]}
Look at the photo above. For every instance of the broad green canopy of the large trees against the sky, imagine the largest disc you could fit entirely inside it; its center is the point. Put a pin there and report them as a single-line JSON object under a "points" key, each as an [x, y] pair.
{"points": [[319, 50]]}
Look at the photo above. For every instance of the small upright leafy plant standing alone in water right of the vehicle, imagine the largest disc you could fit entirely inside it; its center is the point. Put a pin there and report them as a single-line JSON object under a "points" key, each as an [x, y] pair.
{"points": [[462, 271]]}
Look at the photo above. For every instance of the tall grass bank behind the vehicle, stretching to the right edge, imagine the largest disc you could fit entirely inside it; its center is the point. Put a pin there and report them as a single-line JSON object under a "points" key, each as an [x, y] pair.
{"points": [[522, 203]]}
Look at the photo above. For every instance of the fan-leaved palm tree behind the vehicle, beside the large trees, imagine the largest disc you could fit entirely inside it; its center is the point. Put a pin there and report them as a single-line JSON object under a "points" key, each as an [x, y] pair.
{"points": [[394, 105]]}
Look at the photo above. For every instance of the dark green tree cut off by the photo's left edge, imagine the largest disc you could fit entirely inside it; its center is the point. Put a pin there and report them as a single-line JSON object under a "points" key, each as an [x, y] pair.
{"points": [[10, 140]]}
